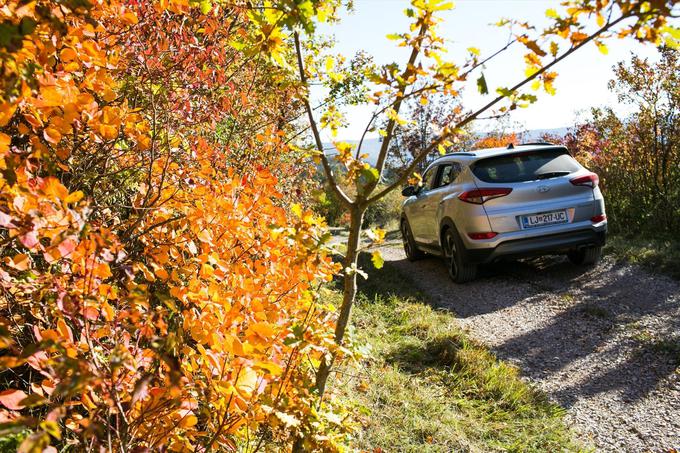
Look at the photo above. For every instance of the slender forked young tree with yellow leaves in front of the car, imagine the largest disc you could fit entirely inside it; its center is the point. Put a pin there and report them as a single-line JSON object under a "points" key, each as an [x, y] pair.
{"points": [[428, 72]]}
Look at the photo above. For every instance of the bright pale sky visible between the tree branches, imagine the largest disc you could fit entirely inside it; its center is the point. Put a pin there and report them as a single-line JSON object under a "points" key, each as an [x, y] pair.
{"points": [[583, 76]]}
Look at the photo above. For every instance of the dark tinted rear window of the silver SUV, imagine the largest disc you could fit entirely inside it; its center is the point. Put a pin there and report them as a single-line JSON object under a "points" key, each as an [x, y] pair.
{"points": [[525, 166]]}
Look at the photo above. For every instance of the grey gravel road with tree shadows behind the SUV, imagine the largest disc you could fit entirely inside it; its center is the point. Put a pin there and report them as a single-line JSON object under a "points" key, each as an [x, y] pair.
{"points": [[600, 341]]}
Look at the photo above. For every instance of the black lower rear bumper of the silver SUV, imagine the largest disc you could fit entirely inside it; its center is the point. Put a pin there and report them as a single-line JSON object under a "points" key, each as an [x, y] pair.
{"points": [[541, 245]]}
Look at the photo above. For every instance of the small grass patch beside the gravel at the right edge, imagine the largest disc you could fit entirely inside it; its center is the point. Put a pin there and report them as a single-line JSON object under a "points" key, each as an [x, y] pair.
{"points": [[656, 254]]}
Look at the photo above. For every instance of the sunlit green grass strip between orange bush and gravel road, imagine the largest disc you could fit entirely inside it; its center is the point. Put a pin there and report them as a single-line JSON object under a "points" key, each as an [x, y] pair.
{"points": [[427, 387]]}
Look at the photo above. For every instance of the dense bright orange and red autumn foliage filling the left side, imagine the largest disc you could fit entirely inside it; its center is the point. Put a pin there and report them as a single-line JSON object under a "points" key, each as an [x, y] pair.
{"points": [[156, 292]]}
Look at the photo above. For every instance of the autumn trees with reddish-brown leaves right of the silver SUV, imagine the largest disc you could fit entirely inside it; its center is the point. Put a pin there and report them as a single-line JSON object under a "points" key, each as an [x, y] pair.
{"points": [[636, 155]]}
